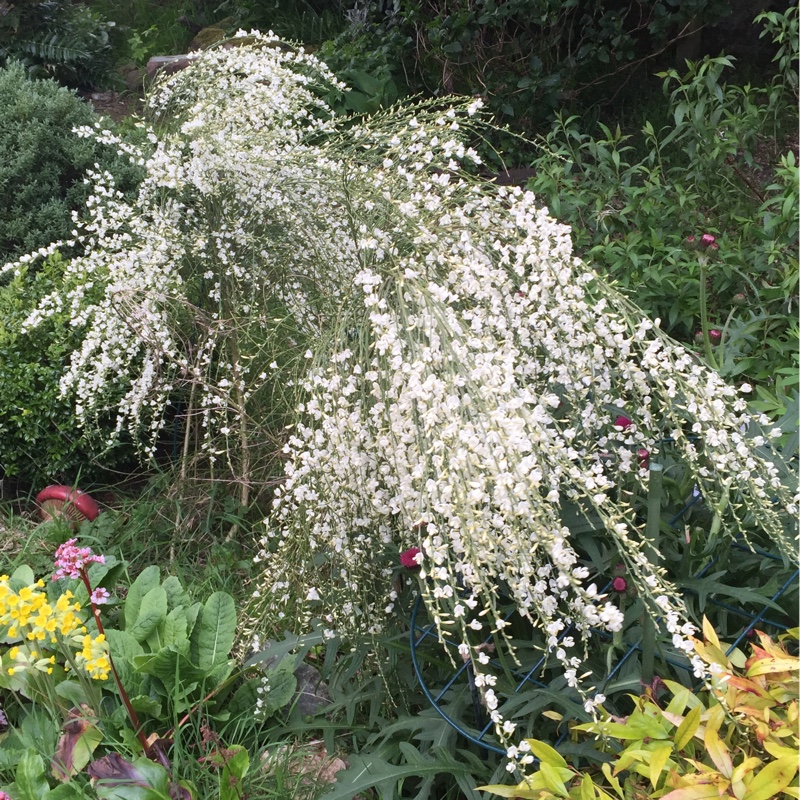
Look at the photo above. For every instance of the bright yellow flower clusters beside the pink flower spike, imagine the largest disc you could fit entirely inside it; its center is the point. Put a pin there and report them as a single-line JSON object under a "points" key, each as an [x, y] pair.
{"points": [[27, 615]]}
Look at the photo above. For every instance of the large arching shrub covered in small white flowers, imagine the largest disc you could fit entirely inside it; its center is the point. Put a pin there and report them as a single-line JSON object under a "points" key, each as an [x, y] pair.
{"points": [[458, 373]]}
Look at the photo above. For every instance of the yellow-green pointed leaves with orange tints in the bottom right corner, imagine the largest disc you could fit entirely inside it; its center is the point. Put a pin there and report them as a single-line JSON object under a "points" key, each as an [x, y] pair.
{"points": [[738, 738]]}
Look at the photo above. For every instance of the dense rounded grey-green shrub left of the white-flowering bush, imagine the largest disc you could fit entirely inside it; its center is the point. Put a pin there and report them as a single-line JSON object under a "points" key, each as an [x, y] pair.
{"points": [[43, 163]]}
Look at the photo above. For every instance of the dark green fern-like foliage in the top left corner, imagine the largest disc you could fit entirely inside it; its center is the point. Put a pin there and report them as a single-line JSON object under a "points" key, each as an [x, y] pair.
{"points": [[58, 39]]}
